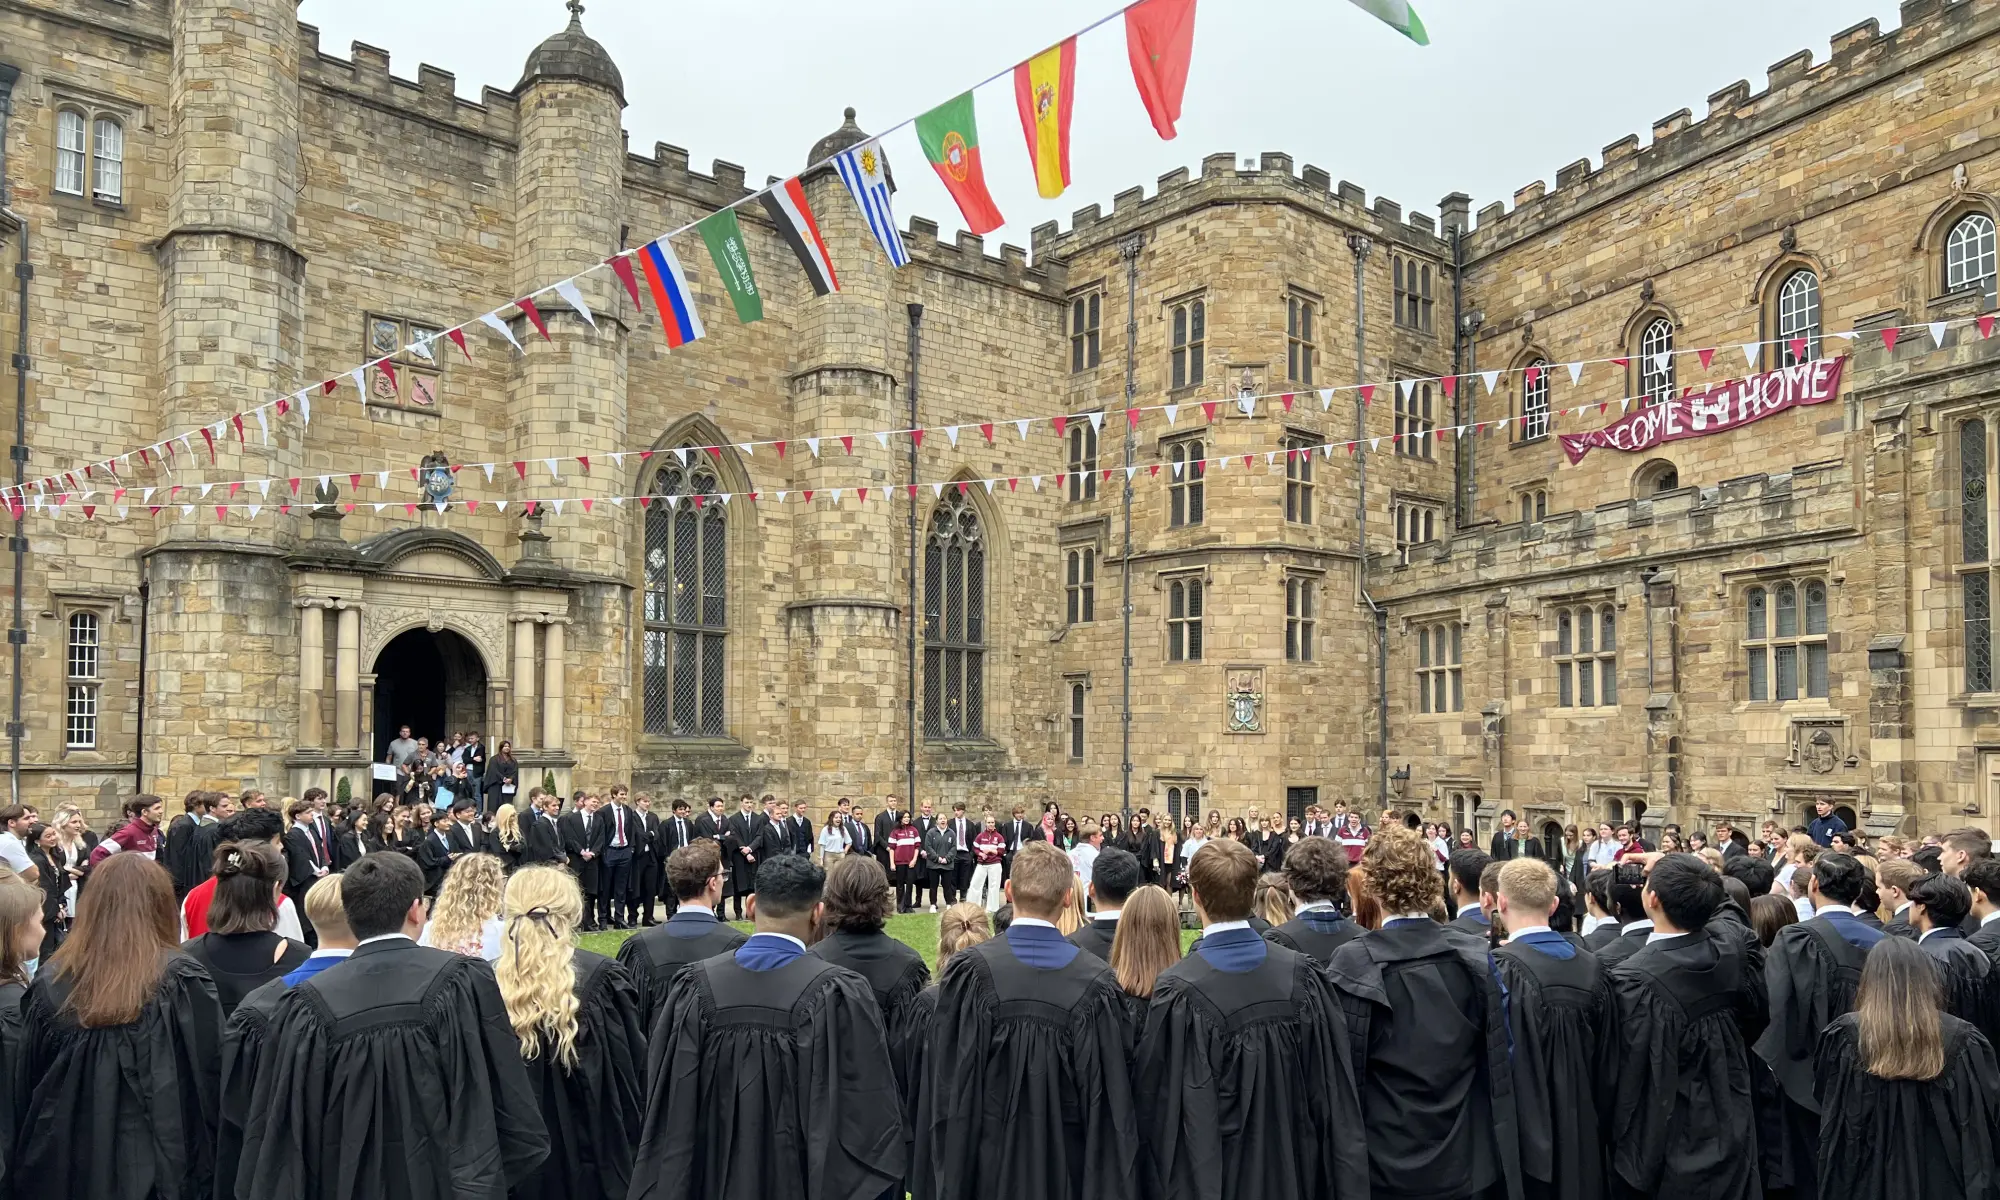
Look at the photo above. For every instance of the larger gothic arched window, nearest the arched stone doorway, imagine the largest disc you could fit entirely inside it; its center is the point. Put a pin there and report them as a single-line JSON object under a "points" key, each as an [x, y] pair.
{"points": [[687, 601]]}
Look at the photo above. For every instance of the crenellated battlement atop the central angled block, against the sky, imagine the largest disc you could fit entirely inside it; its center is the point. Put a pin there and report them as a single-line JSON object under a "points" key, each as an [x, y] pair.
{"points": [[1271, 179]]}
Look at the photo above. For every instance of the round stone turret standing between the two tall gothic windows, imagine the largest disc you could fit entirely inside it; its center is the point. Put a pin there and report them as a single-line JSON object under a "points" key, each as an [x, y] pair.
{"points": [[847, 639]]}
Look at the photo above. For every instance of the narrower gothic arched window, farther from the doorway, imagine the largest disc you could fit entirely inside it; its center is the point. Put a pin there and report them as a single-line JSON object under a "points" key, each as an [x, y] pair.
{"points": [[955, 623]]}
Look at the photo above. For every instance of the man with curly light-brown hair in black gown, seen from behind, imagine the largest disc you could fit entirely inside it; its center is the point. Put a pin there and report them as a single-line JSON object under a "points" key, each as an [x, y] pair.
{"points": [[1429, 1039]]}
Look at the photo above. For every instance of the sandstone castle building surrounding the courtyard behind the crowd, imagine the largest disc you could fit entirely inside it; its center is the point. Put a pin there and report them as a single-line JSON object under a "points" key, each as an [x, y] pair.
{"points": [[219, 211]]}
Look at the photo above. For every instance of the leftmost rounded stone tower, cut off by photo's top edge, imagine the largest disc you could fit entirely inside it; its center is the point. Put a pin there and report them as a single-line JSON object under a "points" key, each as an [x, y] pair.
{"points": [[231, 329]]}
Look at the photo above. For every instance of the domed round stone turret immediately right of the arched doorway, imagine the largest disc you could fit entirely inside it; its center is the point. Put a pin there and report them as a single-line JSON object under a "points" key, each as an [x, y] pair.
{"points": [[569, 391]]}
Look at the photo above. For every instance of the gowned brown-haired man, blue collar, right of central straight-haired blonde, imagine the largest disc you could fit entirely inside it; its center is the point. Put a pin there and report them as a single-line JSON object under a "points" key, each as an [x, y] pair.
{"points": [[1243, 1075]]}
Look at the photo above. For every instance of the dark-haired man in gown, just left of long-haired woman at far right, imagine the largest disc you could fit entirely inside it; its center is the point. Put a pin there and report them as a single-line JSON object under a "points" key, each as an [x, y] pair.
{"points": [[1811, 973]]}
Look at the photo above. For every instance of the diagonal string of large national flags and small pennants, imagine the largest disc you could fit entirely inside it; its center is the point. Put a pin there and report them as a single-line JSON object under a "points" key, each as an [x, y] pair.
{"points": [[1161, 45]]}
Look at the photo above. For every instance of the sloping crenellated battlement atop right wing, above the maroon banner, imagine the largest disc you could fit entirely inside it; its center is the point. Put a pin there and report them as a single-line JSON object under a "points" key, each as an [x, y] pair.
{"points": [[1861, 57]]}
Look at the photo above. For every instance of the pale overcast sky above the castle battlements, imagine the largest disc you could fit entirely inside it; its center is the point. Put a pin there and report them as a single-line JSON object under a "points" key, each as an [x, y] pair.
{"points": [[1505, 95]]}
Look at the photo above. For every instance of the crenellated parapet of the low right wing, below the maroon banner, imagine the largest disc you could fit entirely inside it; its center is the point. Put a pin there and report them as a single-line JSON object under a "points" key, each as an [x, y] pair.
{"points": [[1817, 499]]}
